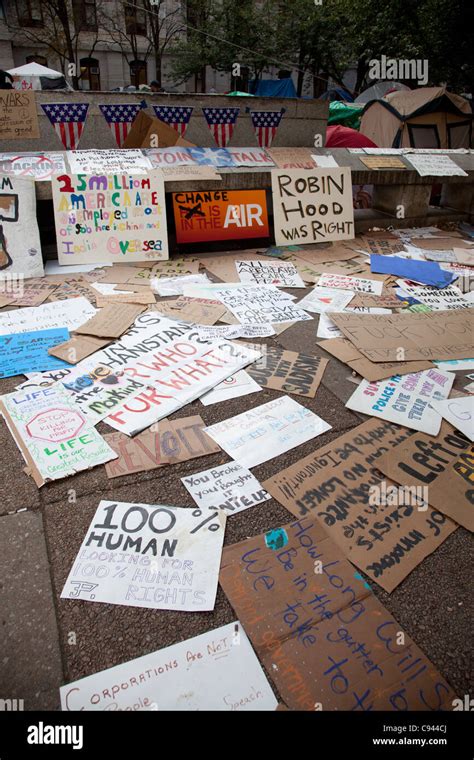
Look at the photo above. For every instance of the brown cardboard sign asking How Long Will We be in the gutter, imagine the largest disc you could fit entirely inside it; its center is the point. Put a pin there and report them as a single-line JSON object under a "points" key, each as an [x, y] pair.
{"points": [[325, 638]]}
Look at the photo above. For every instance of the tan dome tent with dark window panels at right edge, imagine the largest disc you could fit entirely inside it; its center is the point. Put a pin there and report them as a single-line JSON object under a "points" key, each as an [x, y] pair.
{"points": [[429, 117]]}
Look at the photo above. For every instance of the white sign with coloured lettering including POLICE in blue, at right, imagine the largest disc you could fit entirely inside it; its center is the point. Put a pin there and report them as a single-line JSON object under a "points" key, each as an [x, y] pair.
{"points": [[405, 399]]}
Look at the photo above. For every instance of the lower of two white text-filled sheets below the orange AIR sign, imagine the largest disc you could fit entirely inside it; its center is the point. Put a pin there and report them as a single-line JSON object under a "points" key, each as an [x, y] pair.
{"points": [[265, 304]]}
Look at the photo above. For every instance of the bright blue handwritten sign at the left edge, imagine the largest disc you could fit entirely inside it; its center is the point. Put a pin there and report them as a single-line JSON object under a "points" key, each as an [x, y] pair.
{"points": [[28, 352]]}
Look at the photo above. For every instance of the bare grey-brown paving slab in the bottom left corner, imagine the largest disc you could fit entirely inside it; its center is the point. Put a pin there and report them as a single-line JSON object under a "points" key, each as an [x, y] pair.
{"points": [[30, 659]]}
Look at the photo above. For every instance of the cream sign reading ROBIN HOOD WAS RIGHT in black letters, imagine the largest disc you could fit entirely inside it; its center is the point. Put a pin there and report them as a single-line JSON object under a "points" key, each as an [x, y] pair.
{"points": [[312, 206]]}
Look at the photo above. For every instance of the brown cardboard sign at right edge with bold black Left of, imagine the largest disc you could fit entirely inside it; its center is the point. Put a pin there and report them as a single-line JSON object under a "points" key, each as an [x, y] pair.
{"points": [[444, 471]]}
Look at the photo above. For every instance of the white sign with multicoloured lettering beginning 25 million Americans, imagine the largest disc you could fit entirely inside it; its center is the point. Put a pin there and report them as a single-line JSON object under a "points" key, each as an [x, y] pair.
{"points": [[110, 217]]}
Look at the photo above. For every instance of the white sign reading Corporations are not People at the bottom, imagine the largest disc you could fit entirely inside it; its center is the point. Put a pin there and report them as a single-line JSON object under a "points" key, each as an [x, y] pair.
{"points": [[207, 672]]}
